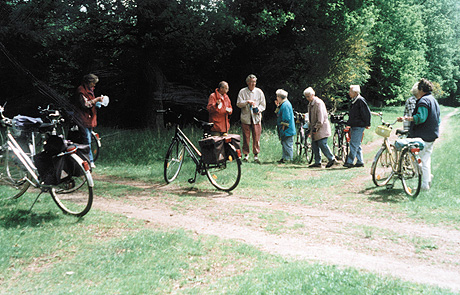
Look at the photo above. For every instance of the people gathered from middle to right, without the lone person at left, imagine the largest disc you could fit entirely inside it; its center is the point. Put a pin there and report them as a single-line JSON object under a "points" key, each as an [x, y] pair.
{"points": [[421, 118]]}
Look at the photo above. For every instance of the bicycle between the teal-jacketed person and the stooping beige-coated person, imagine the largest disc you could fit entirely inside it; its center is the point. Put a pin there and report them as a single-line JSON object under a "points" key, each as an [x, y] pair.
{"points": [[303, 138]]}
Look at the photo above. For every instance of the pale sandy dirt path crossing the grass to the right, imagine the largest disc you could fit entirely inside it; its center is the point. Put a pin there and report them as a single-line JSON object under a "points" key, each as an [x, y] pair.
{"points": [[392, 245]]}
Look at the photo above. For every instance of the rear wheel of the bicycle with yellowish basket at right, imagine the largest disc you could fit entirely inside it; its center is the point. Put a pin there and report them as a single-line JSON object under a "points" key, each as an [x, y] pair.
{"points": [[411, 175]]}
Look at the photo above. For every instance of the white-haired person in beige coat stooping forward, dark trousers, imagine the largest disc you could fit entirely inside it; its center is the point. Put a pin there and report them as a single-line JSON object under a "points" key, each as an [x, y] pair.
{"points": [[320, 128]]}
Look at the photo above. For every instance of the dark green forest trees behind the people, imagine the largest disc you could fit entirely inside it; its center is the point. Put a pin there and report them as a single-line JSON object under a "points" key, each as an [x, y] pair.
{"points": [[150, 54]]}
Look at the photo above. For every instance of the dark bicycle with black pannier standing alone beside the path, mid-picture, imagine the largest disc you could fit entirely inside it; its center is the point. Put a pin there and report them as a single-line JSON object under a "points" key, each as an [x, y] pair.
{"points": [[221, 165]]}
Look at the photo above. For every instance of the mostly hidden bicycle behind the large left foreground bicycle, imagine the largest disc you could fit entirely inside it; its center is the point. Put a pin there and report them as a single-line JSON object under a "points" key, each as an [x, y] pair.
{"points": [[65, 125]]}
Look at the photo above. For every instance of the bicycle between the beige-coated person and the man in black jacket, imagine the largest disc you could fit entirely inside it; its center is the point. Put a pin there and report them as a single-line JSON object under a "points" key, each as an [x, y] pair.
{"points": [[341, 138]]}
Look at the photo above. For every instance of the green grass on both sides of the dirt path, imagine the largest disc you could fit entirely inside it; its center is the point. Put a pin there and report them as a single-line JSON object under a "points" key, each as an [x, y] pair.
{"points": [[46, 252]]}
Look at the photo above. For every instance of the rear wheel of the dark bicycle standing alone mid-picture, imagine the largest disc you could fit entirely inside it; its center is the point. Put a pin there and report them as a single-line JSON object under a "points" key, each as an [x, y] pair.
{"points": [[226, 175]]}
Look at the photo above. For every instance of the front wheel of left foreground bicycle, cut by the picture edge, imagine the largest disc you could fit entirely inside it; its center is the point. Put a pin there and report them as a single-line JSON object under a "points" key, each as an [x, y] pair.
{"points": [[13, 175]]}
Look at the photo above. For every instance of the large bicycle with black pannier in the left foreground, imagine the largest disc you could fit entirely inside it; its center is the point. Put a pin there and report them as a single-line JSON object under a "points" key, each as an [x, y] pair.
{"points": [[57, 169]]}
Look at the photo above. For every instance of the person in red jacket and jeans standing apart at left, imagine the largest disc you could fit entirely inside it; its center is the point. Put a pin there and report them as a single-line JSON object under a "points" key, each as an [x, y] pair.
{"points": [[87, 108]]}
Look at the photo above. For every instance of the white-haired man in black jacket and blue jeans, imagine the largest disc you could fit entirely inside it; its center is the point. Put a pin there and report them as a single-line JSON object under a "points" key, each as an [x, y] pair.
{"points": [[359, 118]]}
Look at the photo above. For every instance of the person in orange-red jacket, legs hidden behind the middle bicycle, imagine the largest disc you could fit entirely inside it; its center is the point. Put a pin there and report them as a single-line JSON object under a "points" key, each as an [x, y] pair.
{"points": [[220, 108]]}
